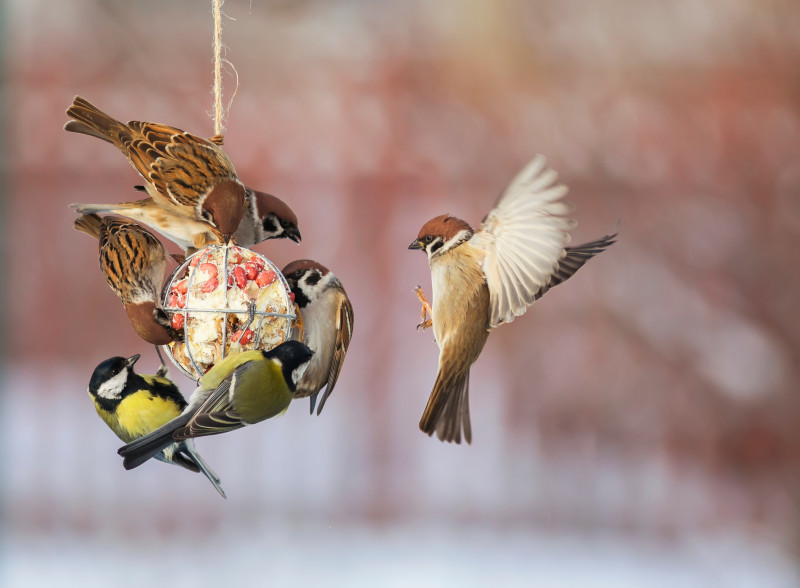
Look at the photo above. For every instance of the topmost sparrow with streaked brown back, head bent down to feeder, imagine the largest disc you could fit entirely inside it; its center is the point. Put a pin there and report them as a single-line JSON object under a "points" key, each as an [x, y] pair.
{"points": [[184, 174]]}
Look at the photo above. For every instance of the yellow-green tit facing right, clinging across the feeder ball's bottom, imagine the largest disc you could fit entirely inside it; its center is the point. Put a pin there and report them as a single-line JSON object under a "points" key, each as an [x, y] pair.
{"points": [[243, 389]]}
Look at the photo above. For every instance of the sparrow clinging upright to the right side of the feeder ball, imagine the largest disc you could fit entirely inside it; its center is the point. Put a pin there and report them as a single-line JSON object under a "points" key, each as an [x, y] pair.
{"points": [[327, 317]]}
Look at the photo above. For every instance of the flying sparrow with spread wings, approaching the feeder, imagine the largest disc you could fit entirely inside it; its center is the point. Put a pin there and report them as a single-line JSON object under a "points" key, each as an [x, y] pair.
{"points": [[484, 279]]}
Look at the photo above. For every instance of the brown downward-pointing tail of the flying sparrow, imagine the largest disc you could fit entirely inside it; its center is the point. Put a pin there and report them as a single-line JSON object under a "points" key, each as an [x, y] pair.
{"points": [[447, 412]]}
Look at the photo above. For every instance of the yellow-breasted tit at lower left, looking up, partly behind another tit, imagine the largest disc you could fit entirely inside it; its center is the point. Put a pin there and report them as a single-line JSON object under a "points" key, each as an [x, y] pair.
{"points": [[133, 405]]}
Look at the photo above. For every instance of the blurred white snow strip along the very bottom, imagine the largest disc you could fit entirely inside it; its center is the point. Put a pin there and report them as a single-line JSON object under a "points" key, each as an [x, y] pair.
{"points": [[397, 557]]}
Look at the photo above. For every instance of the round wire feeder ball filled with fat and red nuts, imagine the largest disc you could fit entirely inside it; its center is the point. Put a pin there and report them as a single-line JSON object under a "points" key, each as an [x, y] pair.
{"points": [[225, 298]]}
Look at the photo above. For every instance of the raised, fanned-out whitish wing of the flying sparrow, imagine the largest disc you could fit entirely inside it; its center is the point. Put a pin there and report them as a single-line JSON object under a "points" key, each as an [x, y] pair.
{"points": [[523, 239]]}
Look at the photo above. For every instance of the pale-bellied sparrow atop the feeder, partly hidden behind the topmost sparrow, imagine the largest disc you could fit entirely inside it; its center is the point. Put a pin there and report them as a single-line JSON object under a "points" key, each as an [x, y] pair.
{"points": [[265, 217]]}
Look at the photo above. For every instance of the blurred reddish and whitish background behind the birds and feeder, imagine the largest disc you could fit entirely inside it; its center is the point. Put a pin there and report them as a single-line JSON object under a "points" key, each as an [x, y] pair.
{"points": [[637, 427]]}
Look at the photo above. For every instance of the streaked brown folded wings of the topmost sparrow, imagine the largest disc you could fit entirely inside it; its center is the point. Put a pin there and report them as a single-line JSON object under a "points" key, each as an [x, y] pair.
{"points": [[179, 166]]}
